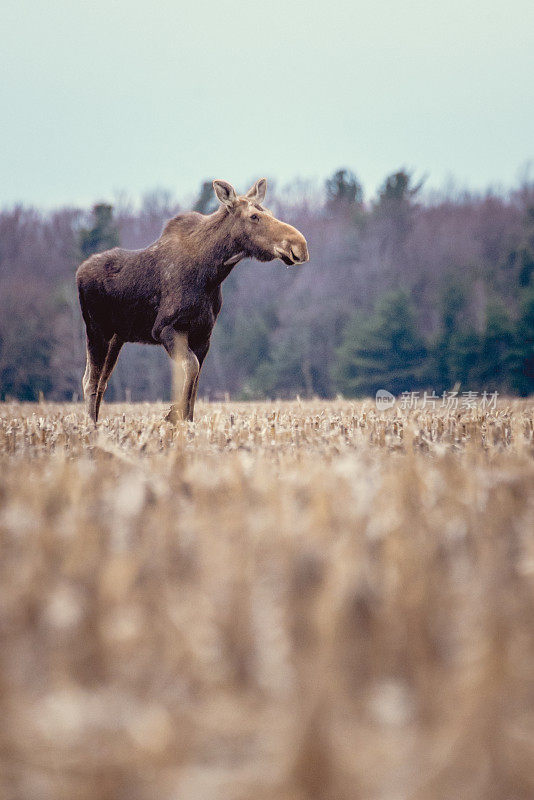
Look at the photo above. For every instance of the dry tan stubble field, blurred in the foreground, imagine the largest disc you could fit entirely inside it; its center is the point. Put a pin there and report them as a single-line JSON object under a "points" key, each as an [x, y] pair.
{"points": [[281, 601]]}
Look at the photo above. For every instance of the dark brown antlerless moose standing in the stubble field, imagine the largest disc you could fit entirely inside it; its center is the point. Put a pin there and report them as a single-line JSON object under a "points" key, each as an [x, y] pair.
{"points": [[170, 292]]}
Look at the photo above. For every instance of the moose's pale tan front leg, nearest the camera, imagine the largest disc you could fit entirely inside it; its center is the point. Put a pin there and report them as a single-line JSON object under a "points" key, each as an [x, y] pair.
{"points": [[185, 373]]}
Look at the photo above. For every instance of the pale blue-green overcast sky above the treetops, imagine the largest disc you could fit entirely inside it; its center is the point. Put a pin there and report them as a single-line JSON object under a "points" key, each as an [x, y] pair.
{"points": [[121, 96]]}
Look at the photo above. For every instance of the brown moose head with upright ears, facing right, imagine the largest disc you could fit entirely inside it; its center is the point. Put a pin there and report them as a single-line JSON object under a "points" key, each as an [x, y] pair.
{"points": [[255, 230]]}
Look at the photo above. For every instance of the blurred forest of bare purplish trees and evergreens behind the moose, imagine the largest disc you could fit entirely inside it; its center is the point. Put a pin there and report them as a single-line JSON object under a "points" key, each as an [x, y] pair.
{"points": [[408, 290]]}
